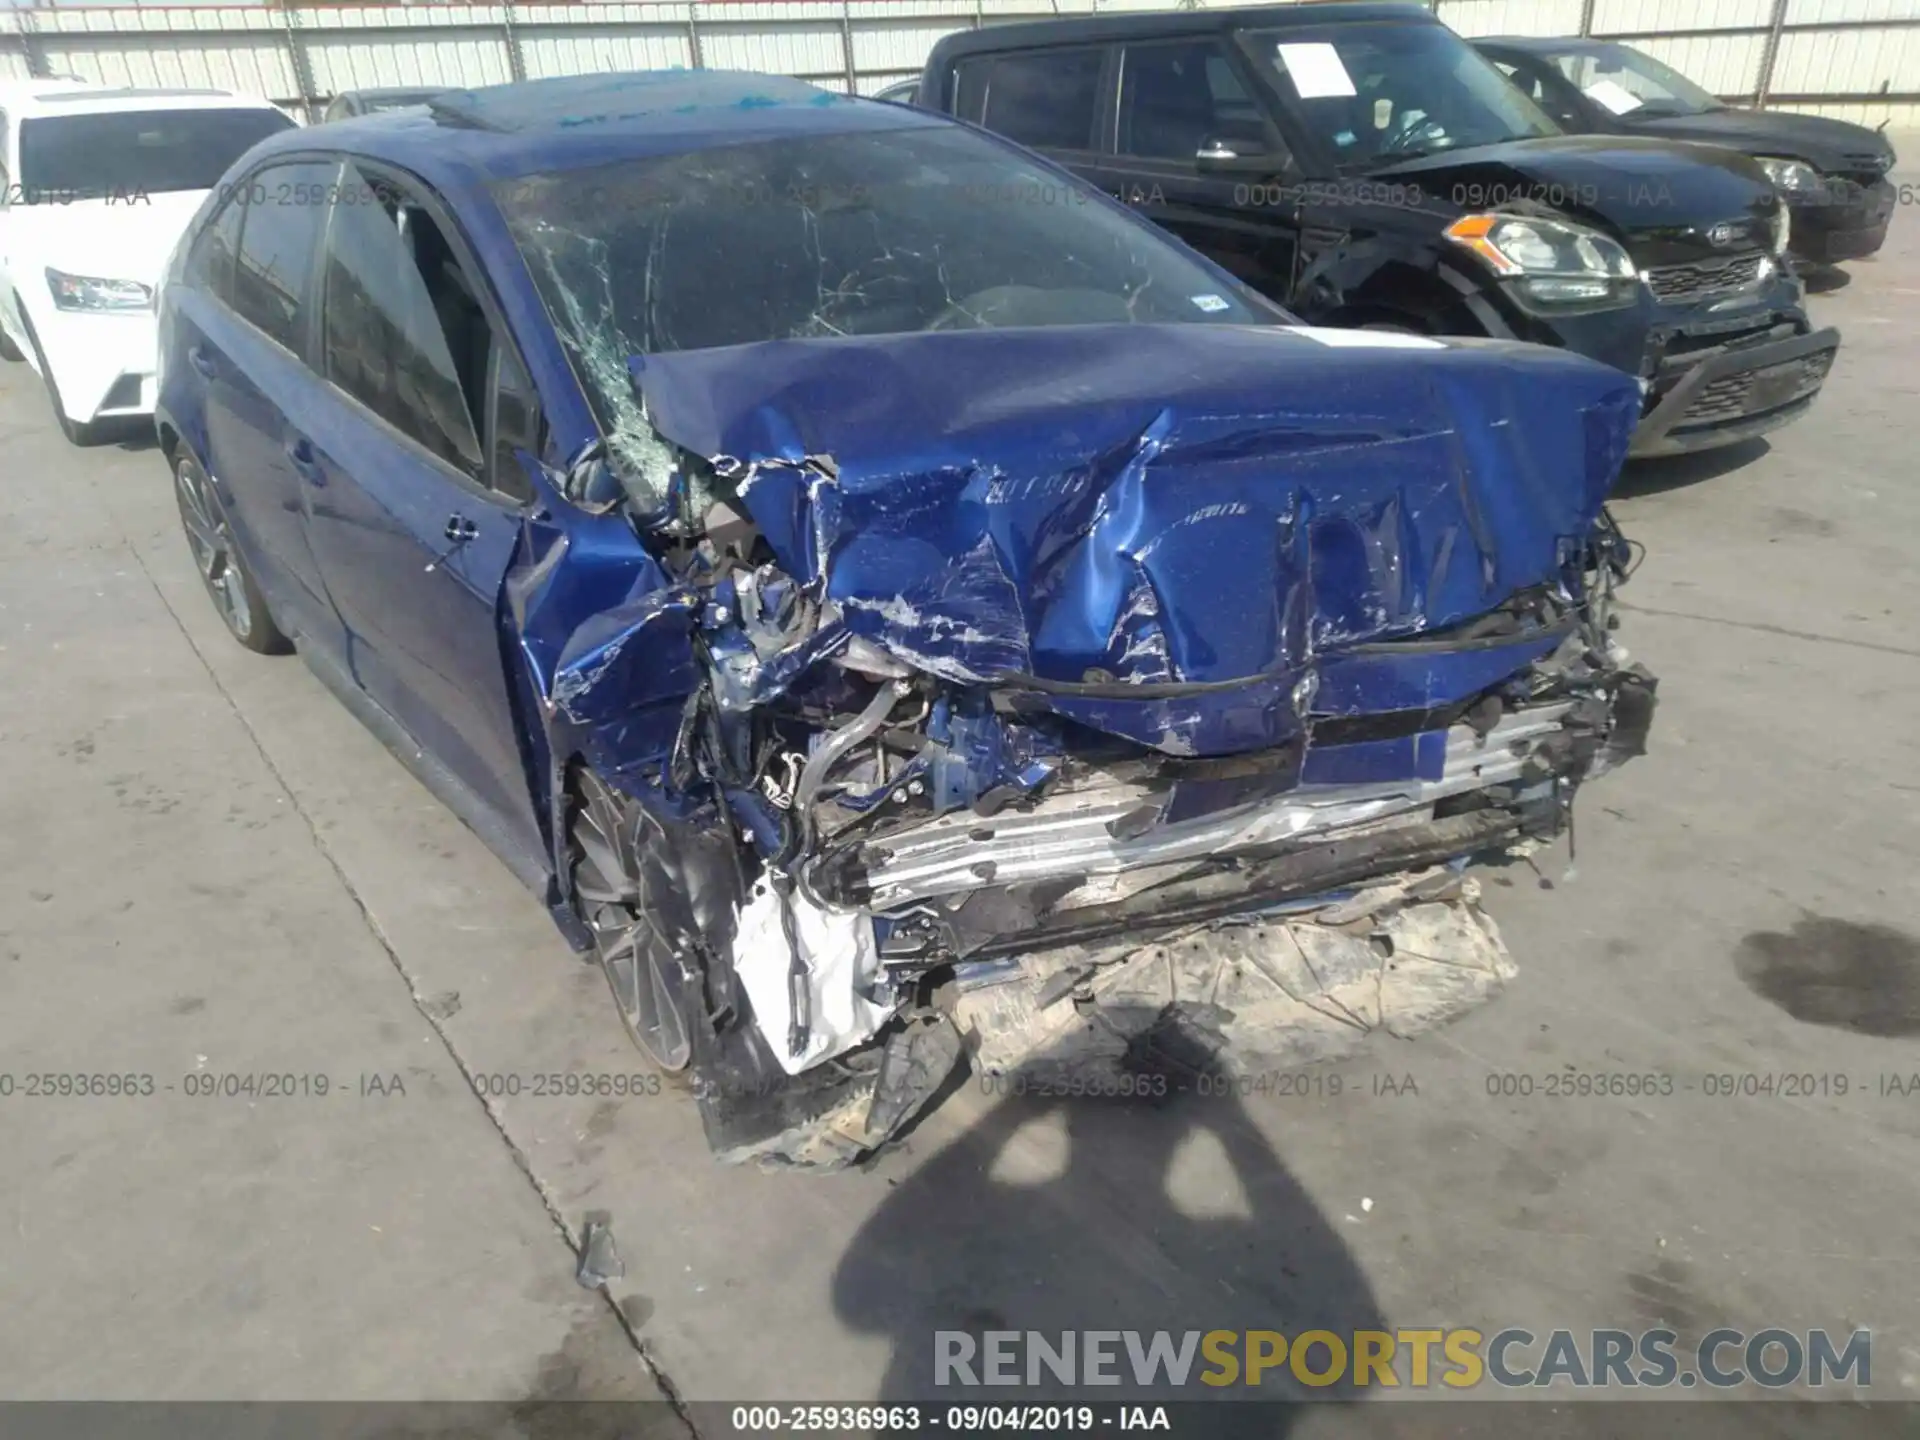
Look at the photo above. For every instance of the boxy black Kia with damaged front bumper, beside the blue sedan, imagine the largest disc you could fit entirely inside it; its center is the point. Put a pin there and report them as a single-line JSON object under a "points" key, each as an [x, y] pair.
{"points": [[1368, 168]]}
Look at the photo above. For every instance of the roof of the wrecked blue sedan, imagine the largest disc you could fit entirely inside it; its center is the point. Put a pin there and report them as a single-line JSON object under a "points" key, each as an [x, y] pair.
{"points": [[468, 139]]}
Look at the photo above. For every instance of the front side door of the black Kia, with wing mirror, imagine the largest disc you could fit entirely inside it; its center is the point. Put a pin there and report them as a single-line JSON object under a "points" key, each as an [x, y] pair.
{"points": [[1184, 99]]}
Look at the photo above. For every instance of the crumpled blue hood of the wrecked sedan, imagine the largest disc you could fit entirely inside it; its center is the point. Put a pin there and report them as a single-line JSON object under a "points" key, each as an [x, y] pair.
{"points": [[1155, 506]]}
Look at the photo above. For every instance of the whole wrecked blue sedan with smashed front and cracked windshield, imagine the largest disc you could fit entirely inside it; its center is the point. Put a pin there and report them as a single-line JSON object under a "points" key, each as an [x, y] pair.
{"points": [[896, 608]]}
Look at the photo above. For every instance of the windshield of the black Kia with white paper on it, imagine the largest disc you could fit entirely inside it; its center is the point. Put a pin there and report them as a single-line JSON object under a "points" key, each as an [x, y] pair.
{"points": [[1391, 91]]}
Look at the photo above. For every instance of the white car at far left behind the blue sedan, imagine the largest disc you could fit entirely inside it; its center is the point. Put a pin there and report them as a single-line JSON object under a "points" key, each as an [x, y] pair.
{"points": [[97, 187]]}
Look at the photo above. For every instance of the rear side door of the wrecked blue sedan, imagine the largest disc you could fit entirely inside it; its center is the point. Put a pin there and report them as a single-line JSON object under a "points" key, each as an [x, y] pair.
{"points": [[254, 262]]}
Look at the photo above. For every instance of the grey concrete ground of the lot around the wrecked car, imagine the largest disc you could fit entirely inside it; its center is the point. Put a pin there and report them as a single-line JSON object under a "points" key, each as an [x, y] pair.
{"points": [[208, 867]]}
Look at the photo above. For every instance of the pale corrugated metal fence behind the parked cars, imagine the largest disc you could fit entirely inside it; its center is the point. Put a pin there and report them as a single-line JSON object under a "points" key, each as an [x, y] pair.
{"points": [[1850, 59]]}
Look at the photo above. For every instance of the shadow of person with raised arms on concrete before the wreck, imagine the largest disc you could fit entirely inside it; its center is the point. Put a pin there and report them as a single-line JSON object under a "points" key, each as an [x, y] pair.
{"points": [[1084, 1214]]}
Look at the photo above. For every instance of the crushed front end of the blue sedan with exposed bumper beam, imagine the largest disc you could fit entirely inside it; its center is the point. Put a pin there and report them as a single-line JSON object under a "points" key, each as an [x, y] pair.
{"points": [[1092, 702]]}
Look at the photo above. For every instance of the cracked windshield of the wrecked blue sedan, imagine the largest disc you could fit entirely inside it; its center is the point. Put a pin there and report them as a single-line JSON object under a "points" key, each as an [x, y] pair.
{"points": [[834, 235]]}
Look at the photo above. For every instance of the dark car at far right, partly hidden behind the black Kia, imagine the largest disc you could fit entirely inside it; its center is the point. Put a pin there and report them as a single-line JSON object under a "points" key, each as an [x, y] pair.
{"points": [[1833, 174]]}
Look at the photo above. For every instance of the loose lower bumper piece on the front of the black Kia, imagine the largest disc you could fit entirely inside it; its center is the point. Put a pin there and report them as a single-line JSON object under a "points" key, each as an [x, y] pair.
{"points": [[1737, 393]]}
